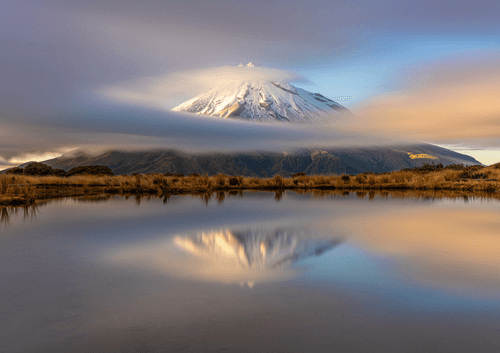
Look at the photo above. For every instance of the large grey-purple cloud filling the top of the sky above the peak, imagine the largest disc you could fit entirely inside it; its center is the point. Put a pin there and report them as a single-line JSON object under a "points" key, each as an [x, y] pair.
{"points": [[52, 51]]}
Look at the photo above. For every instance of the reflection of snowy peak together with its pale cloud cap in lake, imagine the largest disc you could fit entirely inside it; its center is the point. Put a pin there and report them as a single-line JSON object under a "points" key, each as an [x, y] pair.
{"points": [[230, 256]]}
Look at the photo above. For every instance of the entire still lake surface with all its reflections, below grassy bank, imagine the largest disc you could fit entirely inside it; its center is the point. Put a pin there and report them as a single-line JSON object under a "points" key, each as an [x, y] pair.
{"points": [[305, 274]]}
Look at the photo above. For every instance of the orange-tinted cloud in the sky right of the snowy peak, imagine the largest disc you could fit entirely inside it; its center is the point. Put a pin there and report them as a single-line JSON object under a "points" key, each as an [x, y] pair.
{"points": [[457, 98]]}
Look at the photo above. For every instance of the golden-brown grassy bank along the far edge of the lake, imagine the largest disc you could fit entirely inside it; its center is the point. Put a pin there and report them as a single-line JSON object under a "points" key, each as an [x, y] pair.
{"points": [[25, 190]]}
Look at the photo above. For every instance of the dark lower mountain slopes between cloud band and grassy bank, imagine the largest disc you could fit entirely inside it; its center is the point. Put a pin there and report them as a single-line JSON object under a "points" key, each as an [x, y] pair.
{"points": [[310, 161]]}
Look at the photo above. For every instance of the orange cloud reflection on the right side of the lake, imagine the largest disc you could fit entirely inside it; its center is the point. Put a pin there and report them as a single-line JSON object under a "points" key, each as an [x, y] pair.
{"points": [[455, 249]]}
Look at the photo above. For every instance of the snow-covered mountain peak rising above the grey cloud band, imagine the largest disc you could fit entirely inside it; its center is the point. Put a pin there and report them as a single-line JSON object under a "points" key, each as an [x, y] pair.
{"points": [[262, 99]]}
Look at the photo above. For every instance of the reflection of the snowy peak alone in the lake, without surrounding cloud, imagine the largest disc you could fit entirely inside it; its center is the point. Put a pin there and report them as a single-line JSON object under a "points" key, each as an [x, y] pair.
{"points": [[256, 248]]}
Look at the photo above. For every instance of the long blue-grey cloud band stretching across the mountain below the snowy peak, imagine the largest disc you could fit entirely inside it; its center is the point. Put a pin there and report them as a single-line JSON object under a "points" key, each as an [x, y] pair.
{"points": [[111, 126]]}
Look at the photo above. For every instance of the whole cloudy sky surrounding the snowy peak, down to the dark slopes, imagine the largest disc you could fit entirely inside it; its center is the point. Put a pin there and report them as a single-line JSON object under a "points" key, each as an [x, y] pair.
{"points": [[422, 71]]}
